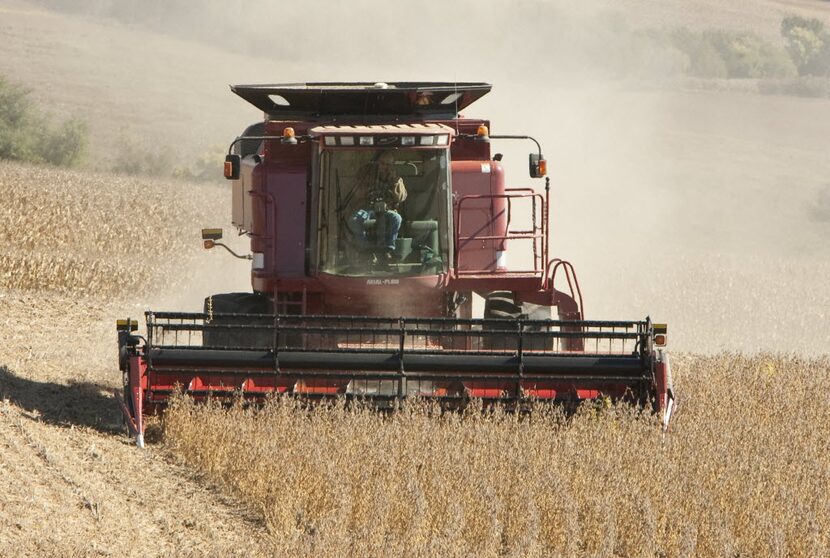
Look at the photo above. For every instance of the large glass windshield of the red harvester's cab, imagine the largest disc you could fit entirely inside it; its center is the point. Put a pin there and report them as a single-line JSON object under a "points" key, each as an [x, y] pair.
{"points": [[384, 212]]}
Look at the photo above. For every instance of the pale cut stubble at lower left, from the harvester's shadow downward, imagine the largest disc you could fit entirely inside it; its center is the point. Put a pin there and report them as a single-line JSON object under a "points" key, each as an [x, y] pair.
{"points": [[75, 490]]}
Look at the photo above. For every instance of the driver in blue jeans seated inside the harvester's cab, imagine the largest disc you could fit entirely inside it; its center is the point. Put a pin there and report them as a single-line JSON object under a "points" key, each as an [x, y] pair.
{"points": [[384, 194]]}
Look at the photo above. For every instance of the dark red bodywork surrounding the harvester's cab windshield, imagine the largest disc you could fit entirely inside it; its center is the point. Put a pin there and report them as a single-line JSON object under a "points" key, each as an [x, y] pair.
{"points": [[279, 207]]}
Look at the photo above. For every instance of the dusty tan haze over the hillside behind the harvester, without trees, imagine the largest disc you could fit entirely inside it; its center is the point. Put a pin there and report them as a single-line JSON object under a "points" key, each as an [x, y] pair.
{"points": [[698, 201]]}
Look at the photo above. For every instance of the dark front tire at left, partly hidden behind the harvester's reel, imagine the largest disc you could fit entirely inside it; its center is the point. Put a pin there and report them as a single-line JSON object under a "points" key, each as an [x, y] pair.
{"points": [[237, 303]]}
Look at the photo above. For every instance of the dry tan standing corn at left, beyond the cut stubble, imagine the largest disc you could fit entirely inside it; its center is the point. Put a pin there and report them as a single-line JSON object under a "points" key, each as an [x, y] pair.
{"points": [[83, 233]]}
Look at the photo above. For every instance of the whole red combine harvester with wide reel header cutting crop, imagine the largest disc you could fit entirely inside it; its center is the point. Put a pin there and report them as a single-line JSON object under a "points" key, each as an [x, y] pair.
{"points": [[375, 211]]}
